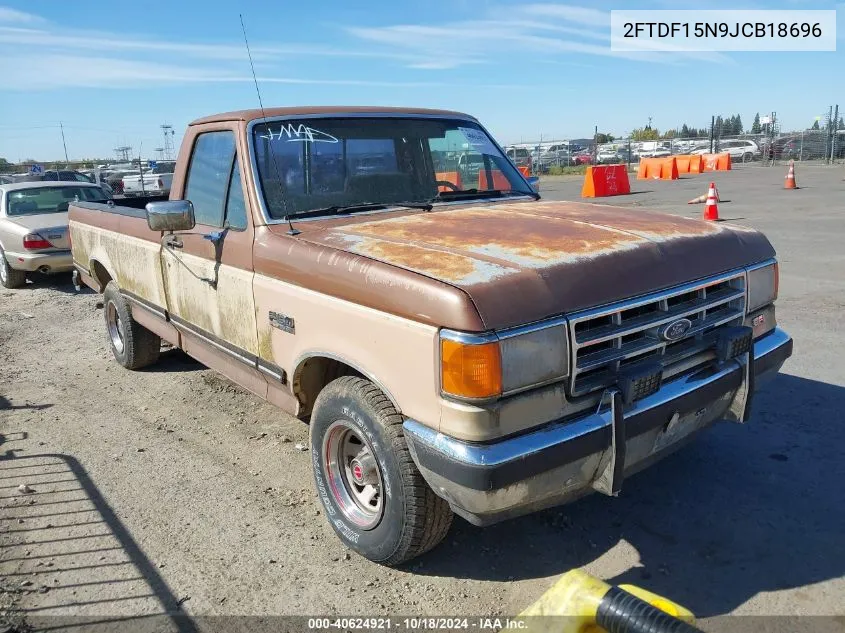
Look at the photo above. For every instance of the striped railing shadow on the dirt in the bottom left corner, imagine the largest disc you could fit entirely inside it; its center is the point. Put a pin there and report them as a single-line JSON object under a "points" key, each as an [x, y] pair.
{"points": [[67, 560]]}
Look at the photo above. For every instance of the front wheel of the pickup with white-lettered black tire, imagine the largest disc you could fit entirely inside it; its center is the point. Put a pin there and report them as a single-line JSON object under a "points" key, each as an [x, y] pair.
{"points": [[407, 519]]}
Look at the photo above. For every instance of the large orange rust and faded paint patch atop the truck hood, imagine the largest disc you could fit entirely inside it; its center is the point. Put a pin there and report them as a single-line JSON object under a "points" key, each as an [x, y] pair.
{"points": [[480, 243]]}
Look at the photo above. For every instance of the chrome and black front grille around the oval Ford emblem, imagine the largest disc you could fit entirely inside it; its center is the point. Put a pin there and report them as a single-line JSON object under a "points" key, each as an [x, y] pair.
{"points": [[606, 340]]}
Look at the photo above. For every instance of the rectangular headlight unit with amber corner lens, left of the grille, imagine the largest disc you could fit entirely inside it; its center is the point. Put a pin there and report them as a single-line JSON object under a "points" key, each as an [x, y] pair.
{"points": [[490, 365]]}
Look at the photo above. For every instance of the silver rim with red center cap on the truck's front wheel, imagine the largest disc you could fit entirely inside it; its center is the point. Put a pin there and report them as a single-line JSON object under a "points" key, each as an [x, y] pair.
{"points": [[353, 474]]}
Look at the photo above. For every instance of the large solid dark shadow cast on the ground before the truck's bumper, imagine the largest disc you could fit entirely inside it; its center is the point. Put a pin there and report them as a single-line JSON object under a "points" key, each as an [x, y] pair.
{"points": [[745, 509]]}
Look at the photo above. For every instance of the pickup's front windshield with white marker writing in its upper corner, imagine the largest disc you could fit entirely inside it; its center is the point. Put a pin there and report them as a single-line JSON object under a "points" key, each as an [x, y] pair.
{"points": [[311, 164]]}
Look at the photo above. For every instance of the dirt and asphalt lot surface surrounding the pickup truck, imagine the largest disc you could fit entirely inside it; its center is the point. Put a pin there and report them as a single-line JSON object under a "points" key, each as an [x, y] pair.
{"points": [[171, 490]]}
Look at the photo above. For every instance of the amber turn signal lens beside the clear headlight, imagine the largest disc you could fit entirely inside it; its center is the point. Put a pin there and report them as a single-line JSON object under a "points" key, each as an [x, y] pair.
{"points": [[471, 371]]}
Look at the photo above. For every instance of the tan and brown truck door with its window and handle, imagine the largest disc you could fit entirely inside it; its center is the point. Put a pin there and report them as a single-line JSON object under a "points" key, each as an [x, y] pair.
{"points": [[208, 271]]}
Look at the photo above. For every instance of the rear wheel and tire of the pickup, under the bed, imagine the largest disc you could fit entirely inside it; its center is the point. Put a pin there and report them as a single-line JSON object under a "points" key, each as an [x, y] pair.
{"points": [[133, 345]]}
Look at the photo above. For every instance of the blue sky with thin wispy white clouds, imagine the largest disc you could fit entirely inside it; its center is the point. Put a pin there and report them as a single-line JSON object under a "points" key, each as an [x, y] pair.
{"points": [[113, 72]]}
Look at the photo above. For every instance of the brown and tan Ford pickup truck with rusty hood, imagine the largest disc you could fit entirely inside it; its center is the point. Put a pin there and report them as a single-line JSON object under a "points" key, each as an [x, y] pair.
{"points": [[455, 349]]}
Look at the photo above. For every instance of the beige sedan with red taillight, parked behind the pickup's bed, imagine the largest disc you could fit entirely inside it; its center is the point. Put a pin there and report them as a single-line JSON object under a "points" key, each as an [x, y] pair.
{"points": [[33, 227]]}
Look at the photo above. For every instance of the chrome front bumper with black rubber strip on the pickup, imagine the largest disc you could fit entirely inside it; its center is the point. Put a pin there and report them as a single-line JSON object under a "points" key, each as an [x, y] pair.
{"points": [[564, 460]]}
